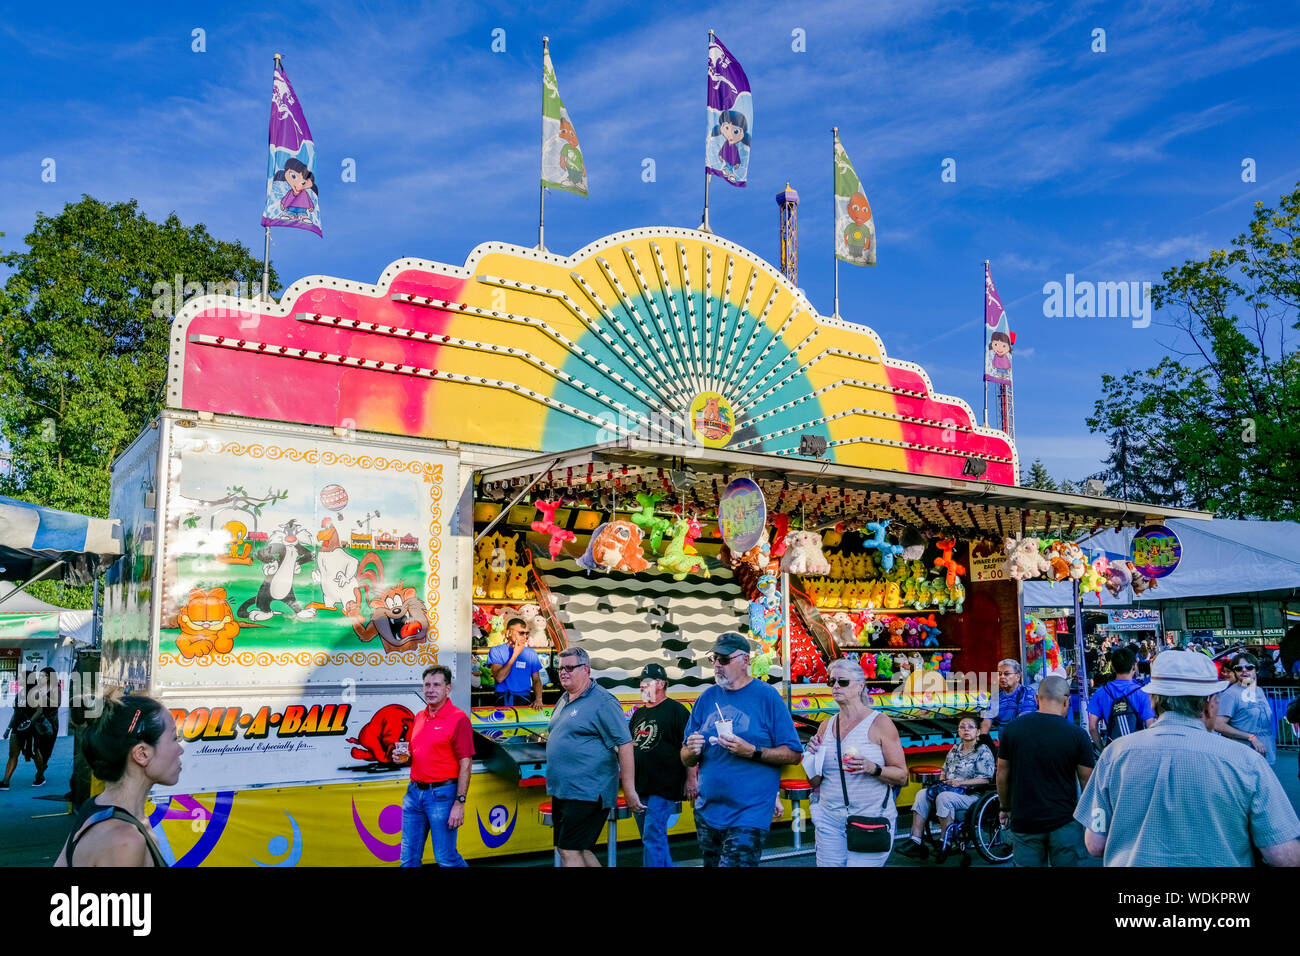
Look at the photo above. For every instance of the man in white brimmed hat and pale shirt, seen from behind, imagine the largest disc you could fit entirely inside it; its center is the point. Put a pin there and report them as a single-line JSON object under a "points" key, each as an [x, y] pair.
{"points": [[1181, 795]]}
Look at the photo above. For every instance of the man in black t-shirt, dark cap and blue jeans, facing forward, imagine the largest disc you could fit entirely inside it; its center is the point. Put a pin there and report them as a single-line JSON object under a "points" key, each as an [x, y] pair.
{"points": [[657, 730]]}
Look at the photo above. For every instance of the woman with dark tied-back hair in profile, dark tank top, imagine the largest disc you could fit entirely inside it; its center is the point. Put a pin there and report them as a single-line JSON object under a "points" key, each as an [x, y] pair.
{"points": [[131, 747]]}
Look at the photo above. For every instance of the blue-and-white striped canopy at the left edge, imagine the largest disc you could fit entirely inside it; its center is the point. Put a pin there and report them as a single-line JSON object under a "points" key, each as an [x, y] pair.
{"points": [[36, 538]]}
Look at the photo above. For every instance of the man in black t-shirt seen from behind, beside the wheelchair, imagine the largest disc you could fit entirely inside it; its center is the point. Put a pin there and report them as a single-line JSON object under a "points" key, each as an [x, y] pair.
{"points": [[1042, 764]]}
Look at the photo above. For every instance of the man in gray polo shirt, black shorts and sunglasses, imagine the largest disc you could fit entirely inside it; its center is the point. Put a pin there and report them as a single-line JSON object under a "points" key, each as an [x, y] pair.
{"points": [[588, 729]]}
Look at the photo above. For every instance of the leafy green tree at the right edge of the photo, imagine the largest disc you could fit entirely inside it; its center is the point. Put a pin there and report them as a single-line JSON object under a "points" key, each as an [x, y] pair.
{"points": [[1214, 426]]}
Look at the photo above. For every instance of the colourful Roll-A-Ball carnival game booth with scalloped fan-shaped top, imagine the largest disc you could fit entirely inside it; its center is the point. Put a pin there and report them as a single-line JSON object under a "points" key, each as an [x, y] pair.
{"points": [[336, 477]]}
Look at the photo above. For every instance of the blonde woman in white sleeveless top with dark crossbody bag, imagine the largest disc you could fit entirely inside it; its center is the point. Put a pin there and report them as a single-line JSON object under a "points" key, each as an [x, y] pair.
{"points": [[865, 745]]}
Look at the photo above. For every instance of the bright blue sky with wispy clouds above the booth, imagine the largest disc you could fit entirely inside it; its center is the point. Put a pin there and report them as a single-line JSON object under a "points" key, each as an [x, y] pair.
{"points": [[1111, 166]]}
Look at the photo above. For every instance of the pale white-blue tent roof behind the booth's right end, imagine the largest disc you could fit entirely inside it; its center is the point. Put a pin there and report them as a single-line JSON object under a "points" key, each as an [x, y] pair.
{"points": [[1220, 557]]}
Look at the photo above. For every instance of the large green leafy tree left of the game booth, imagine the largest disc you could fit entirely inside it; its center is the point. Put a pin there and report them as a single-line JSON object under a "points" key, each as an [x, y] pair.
{"points": [[85, 339]]}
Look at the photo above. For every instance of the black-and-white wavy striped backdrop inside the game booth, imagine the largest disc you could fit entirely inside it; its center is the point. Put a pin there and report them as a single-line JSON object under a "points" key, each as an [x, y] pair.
{"points": [[626, 621]]}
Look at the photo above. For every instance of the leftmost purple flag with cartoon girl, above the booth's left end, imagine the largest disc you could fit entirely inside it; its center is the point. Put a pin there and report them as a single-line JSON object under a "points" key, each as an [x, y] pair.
{"points": [[292, 197]]}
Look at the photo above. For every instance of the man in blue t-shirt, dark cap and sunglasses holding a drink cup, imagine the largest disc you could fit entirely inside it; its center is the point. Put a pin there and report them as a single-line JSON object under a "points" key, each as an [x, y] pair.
{"points": [[740, 772]]}
